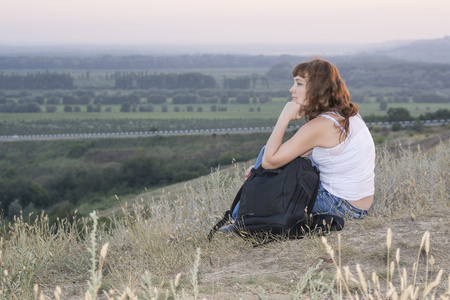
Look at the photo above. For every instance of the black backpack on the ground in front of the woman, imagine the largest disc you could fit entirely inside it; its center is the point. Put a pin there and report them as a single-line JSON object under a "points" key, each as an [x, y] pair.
{"points": [[279, 203]]}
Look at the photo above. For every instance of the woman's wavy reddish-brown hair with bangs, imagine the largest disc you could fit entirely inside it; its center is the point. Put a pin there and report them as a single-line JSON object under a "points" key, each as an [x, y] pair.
{"points": [[325, 91]]}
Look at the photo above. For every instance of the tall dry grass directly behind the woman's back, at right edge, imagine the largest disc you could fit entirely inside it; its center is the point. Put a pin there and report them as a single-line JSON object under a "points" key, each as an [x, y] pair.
{"points": [[410, 182]]}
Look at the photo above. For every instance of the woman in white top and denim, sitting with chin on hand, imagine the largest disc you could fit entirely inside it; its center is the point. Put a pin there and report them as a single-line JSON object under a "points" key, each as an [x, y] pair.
{"points": [[335, 138]]}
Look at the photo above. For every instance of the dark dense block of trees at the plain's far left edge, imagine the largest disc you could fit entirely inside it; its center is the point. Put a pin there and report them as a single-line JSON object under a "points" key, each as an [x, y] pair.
{"points": [[36, 81]]}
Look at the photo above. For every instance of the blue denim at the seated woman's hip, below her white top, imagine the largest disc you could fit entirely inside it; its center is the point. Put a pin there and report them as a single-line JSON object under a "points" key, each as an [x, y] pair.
{"points": [[327, 203]]}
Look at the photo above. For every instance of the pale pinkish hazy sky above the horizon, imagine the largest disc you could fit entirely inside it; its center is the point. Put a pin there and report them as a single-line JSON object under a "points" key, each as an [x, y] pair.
{"points": [[126, 22]]}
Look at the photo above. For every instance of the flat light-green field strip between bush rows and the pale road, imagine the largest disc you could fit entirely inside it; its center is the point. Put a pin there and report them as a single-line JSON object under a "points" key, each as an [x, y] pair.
{"points": [[235, 116]]}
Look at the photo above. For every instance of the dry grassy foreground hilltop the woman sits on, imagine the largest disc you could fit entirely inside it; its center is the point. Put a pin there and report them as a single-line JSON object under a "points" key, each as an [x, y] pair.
{"points": [[159, 250]]}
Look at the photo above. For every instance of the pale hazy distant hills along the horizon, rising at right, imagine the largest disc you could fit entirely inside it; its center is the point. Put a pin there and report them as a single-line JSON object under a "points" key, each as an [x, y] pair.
{"points": [[435, 51]]}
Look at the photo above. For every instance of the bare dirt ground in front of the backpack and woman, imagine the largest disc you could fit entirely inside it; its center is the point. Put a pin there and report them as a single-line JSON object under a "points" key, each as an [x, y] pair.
{"points": [[275, 269]]}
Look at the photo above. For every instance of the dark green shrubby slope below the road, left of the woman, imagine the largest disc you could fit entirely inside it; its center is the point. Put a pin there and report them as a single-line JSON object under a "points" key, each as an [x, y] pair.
{"points": [[61, 176]]}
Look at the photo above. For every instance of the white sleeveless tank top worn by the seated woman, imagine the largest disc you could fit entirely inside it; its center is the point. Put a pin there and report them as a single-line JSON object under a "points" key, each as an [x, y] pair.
{"points": [[347, 170]]}
